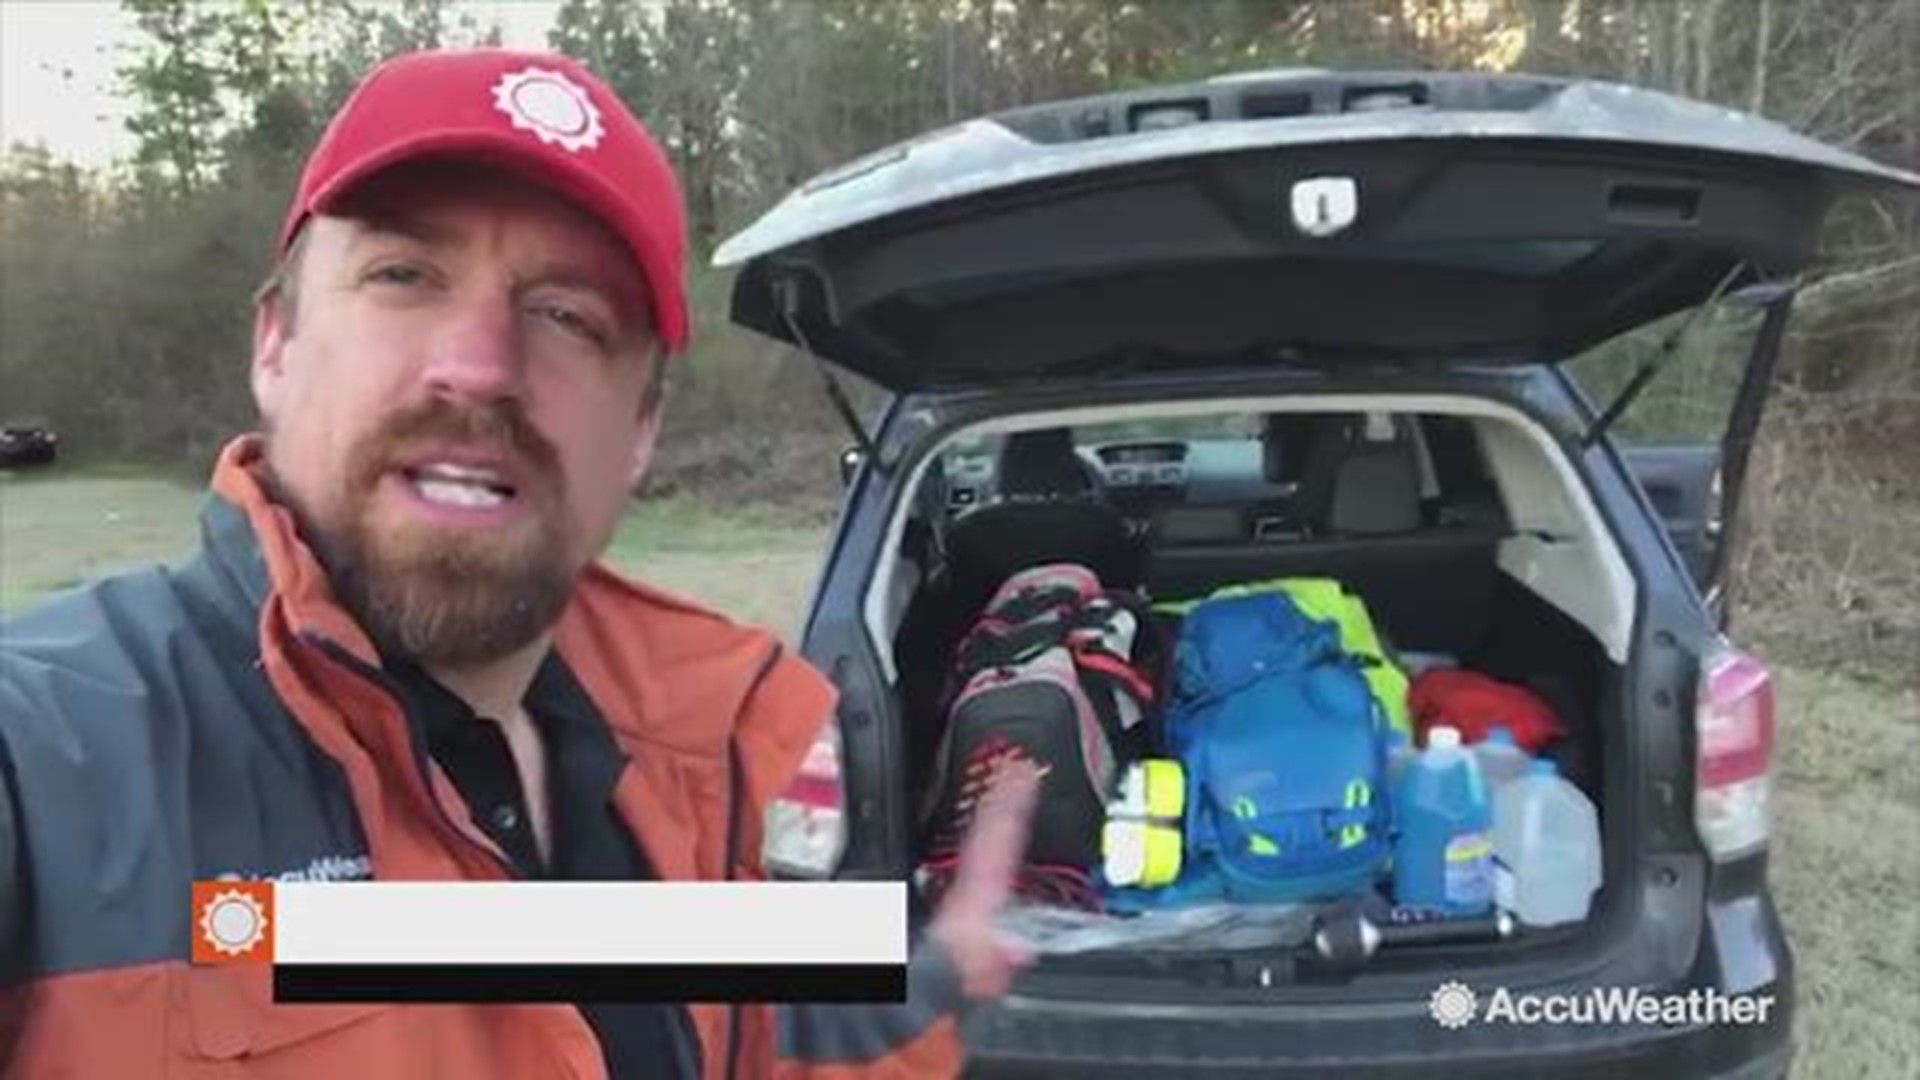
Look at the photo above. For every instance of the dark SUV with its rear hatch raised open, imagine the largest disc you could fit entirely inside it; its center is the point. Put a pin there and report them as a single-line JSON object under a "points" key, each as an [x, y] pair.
{"points": [[1322, 324]]}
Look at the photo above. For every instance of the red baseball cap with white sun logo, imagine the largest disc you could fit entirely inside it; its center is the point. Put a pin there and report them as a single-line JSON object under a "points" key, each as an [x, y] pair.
{"points": [[539, 114]]}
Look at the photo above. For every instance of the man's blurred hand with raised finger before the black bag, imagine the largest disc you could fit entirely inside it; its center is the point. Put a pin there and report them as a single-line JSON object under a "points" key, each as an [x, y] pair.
{"points": [[986, 960]]}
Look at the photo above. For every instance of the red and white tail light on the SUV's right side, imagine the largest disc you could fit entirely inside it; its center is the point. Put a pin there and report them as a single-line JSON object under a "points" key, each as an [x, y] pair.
{"points": [[1735, 756]]}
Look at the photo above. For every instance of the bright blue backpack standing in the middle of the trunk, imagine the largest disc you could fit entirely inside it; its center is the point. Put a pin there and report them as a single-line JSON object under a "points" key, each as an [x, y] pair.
{"points": [[1285, 754]]}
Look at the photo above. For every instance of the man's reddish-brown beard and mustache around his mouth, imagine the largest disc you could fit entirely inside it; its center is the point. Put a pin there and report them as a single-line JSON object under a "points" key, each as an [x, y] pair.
{"points": [[431, 595]]}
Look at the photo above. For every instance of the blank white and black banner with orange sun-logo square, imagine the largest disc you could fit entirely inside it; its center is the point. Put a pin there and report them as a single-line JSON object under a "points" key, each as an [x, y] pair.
{"points": [[562, 941]]}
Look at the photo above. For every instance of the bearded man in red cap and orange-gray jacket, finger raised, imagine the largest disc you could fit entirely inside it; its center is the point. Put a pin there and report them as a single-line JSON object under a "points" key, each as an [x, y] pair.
{"points": [[395, 654]]}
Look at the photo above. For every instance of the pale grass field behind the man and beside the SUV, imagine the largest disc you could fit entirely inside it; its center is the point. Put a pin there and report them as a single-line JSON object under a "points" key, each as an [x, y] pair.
{"points": [[1848, 810]]}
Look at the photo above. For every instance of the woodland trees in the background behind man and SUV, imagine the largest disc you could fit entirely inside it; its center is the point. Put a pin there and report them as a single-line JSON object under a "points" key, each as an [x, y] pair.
{"points": [[754, 97]]}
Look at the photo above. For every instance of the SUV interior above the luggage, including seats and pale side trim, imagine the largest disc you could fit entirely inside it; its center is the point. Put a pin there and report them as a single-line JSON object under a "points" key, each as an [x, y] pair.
{"points": [[1458, 533]]}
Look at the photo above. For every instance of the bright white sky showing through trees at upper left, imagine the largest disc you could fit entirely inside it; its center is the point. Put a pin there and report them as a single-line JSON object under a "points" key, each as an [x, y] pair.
{"points": [[59, 59]]}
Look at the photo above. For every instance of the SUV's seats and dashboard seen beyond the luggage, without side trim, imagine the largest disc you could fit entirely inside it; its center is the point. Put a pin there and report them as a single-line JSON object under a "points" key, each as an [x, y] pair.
{"points": [[1356, 497]]}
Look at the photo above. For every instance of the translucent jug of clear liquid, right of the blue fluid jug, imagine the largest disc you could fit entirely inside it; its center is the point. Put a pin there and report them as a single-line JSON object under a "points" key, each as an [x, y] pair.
{"points": [[1547, 848]]}
